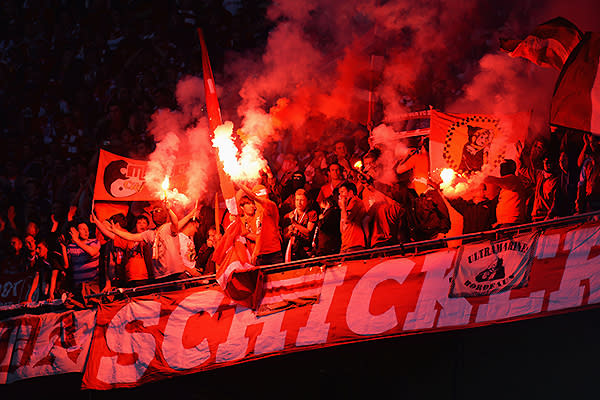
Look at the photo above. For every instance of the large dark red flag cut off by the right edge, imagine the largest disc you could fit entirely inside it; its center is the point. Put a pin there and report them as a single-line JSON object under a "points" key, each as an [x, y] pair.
{"points": [[576, 100]]}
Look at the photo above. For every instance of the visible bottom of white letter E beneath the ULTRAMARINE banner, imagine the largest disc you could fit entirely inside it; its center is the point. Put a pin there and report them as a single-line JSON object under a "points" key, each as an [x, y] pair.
{"points": [[500, 306]]}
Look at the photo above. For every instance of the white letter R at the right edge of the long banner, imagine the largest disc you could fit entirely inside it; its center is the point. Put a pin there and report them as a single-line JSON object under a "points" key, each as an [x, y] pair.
{"points": [[578, 268]]}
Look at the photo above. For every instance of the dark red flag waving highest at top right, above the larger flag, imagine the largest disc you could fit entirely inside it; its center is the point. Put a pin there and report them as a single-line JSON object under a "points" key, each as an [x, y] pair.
{"points": [[549, 45]]}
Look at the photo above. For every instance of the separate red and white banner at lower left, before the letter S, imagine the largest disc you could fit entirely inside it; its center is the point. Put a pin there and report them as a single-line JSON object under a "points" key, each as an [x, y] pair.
{"points": [[48, 344]]}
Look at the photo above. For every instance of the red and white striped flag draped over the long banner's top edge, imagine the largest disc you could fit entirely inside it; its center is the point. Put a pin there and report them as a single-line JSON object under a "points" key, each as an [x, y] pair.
{"points": [[295, 288]]}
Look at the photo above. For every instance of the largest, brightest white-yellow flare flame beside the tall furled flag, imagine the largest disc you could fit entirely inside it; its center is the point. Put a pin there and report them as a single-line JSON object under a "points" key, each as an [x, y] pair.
{"points": [[244, 166]]}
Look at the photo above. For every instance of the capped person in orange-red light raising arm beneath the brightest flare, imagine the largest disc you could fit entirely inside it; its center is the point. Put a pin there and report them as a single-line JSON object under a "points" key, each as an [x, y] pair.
{"points": [[267, 250]]}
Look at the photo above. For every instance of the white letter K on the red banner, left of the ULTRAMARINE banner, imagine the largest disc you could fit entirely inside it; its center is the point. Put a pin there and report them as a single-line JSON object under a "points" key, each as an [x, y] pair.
{"points": [[452, 311]]}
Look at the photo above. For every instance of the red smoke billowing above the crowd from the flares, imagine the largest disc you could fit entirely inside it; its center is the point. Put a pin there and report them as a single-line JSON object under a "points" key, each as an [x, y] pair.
{"points": [[325, 59]]}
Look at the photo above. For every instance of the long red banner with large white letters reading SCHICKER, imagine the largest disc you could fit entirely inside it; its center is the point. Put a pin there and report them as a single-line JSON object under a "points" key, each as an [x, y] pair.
{"points": [[160, 336]]}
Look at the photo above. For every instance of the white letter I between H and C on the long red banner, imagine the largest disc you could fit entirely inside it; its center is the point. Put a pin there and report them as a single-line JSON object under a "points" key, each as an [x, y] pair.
{"points": [[316, 330]]}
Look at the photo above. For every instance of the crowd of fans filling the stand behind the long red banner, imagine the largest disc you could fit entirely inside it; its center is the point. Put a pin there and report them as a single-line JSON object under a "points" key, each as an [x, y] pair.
{"points": [[68, 91]]}
